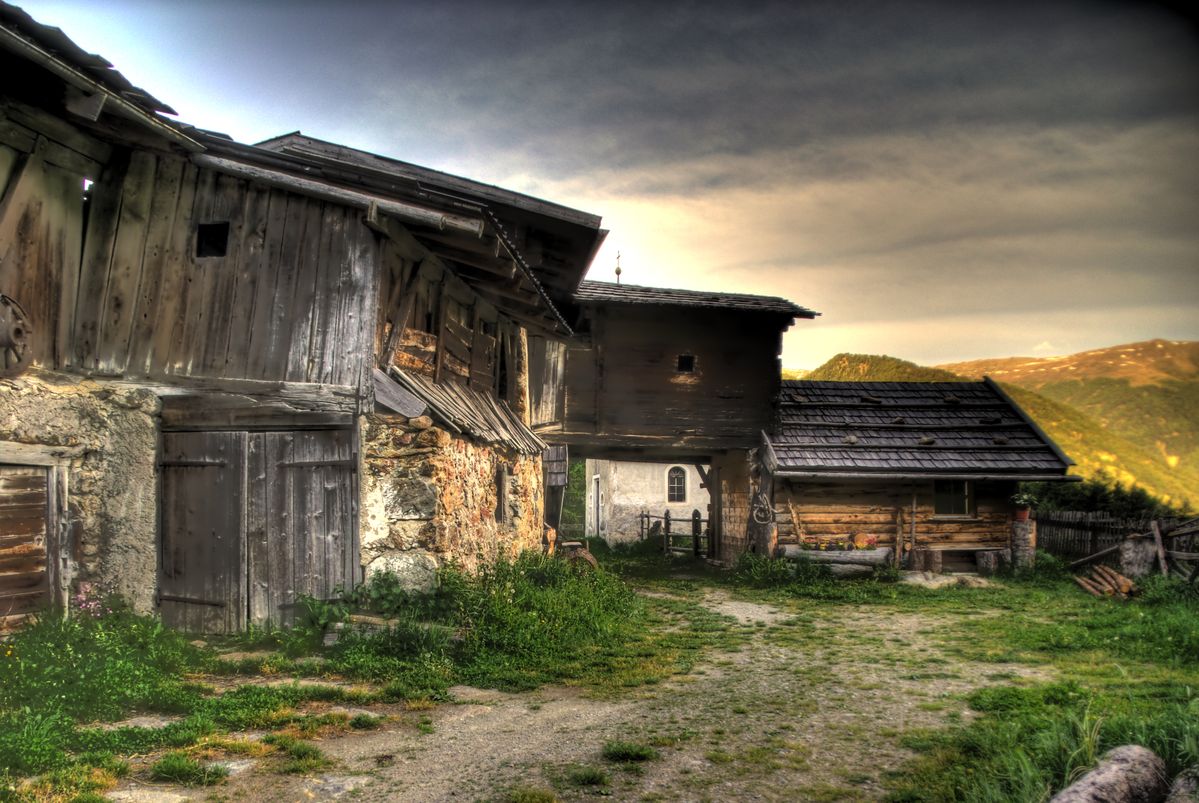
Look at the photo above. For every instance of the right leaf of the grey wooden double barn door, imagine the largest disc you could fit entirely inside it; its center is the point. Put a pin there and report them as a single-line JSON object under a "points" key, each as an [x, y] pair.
{"points": [[303, 533]]}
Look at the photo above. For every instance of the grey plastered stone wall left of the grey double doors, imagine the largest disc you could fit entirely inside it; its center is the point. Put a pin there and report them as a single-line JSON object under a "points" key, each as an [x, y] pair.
{"points": [[112, 520]]}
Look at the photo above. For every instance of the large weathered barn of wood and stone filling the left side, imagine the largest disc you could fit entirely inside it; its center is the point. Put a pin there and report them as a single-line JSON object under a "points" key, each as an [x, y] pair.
{"points": [[234, 375]]}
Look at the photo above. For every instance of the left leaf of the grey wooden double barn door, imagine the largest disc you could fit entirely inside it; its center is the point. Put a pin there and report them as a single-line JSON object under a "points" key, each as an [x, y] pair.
{"points": [[203, 579]]}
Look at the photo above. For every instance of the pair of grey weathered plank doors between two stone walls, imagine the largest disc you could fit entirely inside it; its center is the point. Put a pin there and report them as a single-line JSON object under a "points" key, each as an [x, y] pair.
{"points": [[251, 521]]}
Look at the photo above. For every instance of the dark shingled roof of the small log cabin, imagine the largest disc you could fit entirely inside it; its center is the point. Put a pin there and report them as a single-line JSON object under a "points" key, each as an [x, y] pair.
{"points": [[942, 430]]}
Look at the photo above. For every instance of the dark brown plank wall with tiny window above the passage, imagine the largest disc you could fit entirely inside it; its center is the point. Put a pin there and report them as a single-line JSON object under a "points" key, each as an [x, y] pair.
{"points": [[629, 383]]}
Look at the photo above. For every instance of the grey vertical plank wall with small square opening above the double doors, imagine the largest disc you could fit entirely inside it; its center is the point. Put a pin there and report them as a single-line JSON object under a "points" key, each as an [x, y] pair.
{"points": [[291, 300]]}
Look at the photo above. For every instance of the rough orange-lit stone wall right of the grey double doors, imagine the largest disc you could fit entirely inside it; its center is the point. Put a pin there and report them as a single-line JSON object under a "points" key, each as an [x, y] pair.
{"points": [[430, 498]]}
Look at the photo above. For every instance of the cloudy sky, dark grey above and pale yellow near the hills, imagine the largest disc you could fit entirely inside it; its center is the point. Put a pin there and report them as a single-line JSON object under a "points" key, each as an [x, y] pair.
{"points": [[942, 182]]}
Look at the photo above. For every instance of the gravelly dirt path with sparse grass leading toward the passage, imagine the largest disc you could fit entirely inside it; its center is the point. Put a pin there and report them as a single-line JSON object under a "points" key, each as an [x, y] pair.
{"points": [[811, 708]]}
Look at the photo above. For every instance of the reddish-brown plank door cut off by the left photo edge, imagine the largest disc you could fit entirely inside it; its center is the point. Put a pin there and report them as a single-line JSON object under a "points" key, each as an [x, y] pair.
{"points": [[25, 530]]}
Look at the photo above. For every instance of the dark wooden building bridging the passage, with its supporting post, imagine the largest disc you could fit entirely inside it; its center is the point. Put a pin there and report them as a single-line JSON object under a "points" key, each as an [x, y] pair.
{"points": [[656, 375]]}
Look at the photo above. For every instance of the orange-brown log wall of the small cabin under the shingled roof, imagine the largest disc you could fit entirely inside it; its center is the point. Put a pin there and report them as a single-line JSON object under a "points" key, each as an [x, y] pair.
{"points": [[824, 512]]}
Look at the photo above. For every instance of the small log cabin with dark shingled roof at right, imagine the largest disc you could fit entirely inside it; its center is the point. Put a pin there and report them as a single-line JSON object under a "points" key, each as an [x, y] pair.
{"points": [[908, 466]]}
